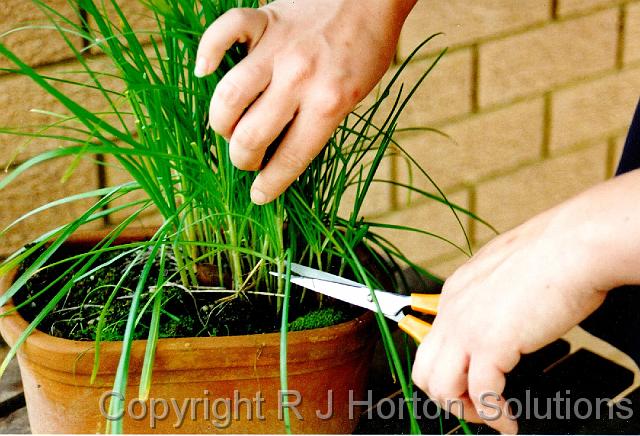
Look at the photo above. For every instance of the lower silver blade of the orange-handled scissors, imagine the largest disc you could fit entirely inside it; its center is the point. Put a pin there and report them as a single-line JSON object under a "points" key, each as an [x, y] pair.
{"points": [[391, 305]]}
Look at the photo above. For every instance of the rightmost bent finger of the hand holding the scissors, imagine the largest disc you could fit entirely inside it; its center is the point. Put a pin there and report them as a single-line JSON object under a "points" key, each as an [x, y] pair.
{"points": [[486, 384]]}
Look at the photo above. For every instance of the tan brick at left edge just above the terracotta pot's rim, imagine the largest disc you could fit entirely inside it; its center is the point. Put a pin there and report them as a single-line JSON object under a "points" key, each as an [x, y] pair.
{"points": [[36, 187]]}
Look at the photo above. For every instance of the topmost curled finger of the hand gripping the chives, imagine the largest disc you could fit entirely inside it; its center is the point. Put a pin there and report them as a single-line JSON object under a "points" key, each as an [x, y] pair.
{"points": [[243, 25]]}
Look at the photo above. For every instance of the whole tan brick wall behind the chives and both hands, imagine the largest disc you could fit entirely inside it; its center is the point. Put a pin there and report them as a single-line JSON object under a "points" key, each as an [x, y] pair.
{"points": [[534, 95]]}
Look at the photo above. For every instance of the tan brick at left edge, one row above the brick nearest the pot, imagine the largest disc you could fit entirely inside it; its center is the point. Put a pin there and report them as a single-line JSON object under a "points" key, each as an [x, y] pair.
{"points": [[23, 96]]}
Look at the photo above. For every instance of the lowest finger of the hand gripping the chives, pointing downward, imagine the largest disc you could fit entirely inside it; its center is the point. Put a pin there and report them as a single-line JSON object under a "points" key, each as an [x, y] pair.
{"points": [[303, 141]]}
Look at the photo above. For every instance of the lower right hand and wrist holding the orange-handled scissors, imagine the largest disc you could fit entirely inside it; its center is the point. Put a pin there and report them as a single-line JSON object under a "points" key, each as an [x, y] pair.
{"points": [[524, 290]]}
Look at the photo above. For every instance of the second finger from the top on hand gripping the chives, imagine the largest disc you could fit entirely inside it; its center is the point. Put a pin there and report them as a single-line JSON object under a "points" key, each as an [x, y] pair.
{"points": [[236, 91]]}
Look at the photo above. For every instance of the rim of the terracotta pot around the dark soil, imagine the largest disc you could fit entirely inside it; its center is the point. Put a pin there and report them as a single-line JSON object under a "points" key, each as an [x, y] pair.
{"points": [[41, 346]]}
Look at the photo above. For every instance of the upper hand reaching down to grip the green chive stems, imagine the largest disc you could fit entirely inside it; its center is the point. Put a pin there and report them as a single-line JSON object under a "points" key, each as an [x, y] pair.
{"points": [[309, 63]]}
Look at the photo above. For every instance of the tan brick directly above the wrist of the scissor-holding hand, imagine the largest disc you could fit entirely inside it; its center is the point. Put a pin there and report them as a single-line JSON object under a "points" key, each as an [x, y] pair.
{"points": [[512, 199]]}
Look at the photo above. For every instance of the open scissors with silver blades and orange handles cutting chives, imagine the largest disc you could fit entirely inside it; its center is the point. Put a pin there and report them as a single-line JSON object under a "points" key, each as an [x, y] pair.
{"points": [[392, 305]]}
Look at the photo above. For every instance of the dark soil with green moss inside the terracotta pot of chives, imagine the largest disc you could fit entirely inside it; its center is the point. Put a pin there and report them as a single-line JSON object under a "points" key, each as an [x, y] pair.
{"points": [[184, 313]]}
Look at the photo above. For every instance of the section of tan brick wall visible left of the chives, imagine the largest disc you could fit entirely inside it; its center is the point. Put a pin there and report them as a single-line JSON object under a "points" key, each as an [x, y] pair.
{"points": [[45, 50]]}
